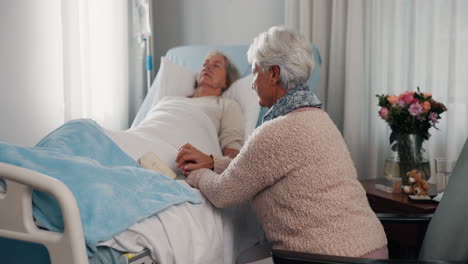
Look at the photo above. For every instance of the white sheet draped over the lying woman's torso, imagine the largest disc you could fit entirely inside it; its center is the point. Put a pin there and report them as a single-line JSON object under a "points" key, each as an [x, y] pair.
{"points": [[169, 125]]}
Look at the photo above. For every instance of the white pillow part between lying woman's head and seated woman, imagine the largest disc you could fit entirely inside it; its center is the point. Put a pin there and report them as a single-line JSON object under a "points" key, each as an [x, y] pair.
{"points": [[242, 92]]}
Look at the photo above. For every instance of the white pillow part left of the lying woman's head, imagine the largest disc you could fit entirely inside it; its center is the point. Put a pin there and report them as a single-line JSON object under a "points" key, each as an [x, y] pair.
{"points": [[173, 80]]}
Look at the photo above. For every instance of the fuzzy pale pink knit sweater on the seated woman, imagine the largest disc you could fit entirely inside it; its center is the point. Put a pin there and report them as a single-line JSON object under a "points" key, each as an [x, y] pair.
{"points": [[298, 173]]}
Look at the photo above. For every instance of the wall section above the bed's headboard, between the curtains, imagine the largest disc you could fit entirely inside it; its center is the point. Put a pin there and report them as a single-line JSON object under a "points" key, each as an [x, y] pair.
{"points": [[217, 22]]}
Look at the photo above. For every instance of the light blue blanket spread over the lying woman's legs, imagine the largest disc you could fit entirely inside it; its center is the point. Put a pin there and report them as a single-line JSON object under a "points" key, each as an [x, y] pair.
{"points": [[112, 192]]}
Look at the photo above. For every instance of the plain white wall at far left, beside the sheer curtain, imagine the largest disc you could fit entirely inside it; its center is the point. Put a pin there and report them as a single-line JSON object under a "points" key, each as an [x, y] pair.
{"points": [[31, 96]]}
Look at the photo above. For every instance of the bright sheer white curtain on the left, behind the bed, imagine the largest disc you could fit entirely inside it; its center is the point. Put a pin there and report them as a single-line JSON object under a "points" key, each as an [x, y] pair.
{"points": [[96, 66]]}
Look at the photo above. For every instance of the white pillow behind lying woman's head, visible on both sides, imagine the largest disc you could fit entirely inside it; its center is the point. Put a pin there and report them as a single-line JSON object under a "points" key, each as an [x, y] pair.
{"points": [[176, 80]]}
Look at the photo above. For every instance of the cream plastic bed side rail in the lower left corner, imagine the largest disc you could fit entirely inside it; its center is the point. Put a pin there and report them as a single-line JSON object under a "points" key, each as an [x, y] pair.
{"points": [[16, 220]]}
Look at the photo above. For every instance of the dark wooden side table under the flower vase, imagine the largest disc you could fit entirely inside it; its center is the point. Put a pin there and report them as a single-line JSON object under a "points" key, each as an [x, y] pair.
{"points": [[404, 239]]}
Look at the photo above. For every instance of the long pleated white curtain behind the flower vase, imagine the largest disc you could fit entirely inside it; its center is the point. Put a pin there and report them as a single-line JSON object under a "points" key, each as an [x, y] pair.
{"points": [[371, 47]]}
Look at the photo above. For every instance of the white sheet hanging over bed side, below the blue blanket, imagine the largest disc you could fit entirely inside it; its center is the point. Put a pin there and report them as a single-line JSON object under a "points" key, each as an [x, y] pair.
{"points": [[189, 233]]}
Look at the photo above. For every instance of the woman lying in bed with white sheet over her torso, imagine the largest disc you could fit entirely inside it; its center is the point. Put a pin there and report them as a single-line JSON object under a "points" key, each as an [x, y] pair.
{"points": [[206, 119]]}
